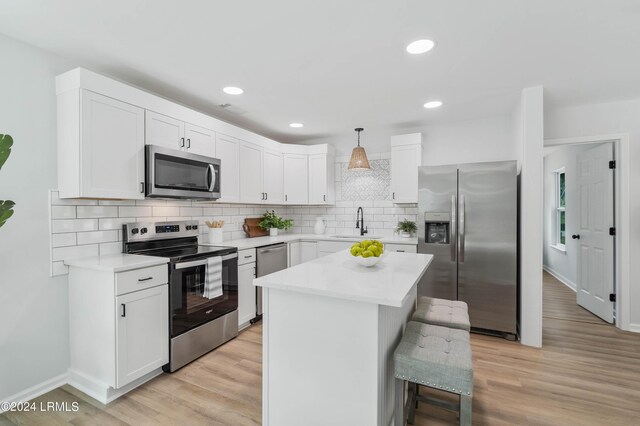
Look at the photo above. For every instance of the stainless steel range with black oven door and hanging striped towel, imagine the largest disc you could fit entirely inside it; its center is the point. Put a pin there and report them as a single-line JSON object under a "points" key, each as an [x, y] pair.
{"points": [[203, 286]]}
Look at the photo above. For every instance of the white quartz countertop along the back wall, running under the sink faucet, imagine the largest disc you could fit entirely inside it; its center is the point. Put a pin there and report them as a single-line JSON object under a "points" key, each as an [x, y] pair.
{"points": [[245, 243]]}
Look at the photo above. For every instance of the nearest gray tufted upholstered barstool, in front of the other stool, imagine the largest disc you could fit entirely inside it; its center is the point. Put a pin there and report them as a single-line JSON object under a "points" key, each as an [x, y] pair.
{"points": [[436, 357]]}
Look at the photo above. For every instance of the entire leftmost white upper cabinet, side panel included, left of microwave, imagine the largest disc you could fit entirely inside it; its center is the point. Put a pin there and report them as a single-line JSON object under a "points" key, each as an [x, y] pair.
{"points": [[100, 147]]}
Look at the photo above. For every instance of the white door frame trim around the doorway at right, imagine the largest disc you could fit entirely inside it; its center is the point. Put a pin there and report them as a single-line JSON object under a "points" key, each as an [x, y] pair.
{"points": [[621, 214]]}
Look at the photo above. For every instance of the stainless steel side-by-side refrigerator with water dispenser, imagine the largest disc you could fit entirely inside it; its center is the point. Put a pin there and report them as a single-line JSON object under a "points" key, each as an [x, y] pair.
{"points": [[468, 219]]}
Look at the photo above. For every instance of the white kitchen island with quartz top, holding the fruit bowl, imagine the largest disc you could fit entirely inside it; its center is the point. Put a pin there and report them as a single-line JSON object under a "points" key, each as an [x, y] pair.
{"points": [[330, 328]]}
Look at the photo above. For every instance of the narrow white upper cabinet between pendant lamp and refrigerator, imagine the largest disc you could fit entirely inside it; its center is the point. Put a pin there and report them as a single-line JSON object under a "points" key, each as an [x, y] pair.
{"points": [[406, 157]]}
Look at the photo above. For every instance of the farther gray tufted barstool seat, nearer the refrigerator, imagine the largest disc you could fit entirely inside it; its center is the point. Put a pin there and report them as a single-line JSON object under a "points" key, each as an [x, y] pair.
{"points": [[446, 313]]}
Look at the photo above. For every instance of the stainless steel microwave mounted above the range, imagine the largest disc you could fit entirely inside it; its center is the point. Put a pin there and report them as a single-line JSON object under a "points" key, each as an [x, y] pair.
{"points": [[178, 174]]}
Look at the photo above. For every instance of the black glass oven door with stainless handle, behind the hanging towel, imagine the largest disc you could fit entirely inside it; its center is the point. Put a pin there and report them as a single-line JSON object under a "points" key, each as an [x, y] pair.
{"points": [[189, 304]]}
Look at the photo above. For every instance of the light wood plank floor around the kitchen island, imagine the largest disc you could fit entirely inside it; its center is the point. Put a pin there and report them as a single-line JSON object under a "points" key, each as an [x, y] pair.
{"points": [[588, 373]]}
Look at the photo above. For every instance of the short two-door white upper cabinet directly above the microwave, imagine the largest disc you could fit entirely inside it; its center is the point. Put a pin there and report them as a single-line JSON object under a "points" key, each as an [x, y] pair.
{"points": [[175, 134]]}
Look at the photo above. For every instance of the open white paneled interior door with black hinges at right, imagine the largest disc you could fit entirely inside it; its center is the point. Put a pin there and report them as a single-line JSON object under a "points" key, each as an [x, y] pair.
{"points": [[595, 256]]}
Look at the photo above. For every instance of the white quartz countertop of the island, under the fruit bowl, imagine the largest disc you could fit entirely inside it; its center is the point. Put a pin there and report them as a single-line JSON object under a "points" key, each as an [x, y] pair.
{"points": [[337, 275]]}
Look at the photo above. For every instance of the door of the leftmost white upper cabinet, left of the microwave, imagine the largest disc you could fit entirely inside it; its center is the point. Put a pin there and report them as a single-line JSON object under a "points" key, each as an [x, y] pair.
{"points": [[112, 148]]}
